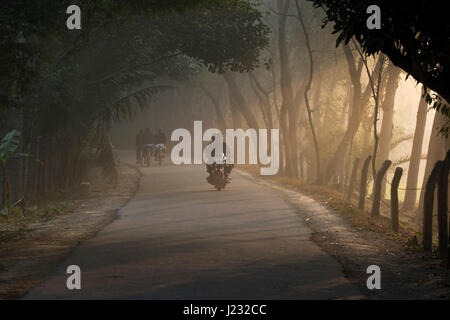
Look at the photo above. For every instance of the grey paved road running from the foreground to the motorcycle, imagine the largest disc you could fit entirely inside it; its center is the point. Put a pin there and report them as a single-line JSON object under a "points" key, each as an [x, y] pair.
{"points": [[178, 238]]}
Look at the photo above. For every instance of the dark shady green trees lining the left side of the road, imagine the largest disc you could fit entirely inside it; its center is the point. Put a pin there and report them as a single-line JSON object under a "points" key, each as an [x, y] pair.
{"points": [[63, 89]]}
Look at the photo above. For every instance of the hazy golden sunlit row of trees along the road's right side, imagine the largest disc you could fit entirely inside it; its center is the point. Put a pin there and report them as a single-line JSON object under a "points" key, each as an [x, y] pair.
{"points": [[332, 104]]}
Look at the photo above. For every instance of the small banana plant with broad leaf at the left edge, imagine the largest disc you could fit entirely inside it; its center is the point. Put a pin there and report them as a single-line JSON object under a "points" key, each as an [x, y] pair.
{"points": [[8, 148]]}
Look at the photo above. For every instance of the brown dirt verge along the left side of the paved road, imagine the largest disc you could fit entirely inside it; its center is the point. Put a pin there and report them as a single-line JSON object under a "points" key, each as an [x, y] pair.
{"points": [[26, 262]]}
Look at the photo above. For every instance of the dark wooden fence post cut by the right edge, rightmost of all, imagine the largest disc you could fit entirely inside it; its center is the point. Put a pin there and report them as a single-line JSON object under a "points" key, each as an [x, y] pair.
{"points": [[443, 207]]}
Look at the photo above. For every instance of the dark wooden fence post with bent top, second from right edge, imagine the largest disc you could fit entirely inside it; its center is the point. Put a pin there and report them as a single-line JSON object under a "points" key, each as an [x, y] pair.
{"points": [[428, 203]]}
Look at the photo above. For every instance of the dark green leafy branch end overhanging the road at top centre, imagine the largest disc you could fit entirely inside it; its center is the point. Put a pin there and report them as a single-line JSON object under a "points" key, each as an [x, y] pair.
{"points": [[227, 35]]}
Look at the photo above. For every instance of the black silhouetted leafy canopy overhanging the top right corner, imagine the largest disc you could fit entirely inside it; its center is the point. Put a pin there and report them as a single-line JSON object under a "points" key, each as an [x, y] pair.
{"points": [[414, 34]]}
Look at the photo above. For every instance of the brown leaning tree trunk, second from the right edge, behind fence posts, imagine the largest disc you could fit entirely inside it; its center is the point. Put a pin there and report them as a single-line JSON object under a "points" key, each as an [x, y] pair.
{"points": [[416, 153]]}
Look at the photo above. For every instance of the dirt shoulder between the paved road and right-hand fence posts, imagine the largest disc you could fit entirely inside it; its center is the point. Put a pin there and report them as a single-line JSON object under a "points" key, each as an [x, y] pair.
{"points": [[406, 273]]}
